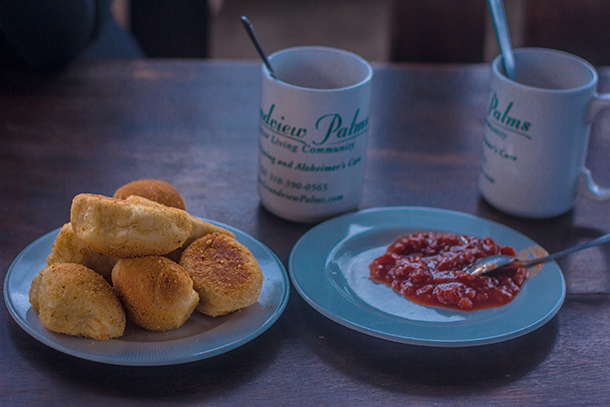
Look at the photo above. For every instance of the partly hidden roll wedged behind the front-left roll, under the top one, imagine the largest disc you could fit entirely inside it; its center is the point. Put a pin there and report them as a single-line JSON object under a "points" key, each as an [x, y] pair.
{"points": [[68, 248]]}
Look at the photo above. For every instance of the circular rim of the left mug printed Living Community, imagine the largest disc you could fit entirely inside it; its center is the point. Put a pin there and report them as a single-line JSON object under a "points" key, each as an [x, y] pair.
{"points": [[352, 55]]}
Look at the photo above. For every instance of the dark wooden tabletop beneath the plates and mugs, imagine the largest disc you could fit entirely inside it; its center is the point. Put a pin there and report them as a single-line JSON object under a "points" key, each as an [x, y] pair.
{"points": [[96, 127]]}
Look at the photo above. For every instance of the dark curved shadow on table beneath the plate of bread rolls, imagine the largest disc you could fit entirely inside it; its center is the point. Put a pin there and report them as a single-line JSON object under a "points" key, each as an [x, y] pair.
{"points": [[201, 381]]}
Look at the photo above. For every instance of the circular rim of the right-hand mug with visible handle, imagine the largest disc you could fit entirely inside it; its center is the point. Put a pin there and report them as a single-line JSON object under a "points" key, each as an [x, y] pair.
{"points": [[495, 66]]}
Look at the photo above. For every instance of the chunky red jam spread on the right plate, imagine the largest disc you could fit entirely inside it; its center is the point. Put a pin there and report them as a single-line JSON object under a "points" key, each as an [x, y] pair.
{"points": [[429, 268]]}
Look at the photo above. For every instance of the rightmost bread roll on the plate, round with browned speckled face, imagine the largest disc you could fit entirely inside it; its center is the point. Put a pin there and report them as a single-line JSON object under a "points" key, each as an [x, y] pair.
{"points": [[225, 274]]}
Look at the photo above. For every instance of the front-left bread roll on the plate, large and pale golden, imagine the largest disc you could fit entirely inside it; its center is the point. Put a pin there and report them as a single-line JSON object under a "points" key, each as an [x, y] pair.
{"points": [[74, 300]]}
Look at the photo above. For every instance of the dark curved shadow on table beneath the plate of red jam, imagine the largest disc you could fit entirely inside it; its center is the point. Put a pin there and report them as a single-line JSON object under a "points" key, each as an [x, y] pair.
{"points": [[409, 369]]}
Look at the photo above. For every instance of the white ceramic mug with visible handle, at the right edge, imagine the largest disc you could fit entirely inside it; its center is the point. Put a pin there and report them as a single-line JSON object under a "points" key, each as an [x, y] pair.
{"points": [[536, 134]]}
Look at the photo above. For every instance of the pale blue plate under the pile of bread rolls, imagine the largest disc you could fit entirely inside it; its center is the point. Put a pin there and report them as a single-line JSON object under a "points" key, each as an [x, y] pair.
{"points": [[199, 338]]}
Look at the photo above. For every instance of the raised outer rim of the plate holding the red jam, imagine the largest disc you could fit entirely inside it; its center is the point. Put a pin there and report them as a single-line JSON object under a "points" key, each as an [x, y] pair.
{"points": [[448, 343]]}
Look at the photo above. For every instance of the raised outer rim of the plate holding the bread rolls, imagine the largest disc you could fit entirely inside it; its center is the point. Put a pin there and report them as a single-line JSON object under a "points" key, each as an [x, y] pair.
{"points": [[282, 278]]}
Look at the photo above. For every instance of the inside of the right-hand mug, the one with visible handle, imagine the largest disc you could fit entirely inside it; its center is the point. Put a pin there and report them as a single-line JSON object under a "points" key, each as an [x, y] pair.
{"points": [[549, 69]]}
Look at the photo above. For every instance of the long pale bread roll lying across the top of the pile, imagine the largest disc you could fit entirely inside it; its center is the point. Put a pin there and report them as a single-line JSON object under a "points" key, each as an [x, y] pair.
{"points": [[124, 229]]}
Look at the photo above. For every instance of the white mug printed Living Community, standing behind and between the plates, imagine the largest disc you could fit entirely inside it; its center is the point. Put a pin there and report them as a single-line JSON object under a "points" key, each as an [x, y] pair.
{"points": [[314, 124]]}
